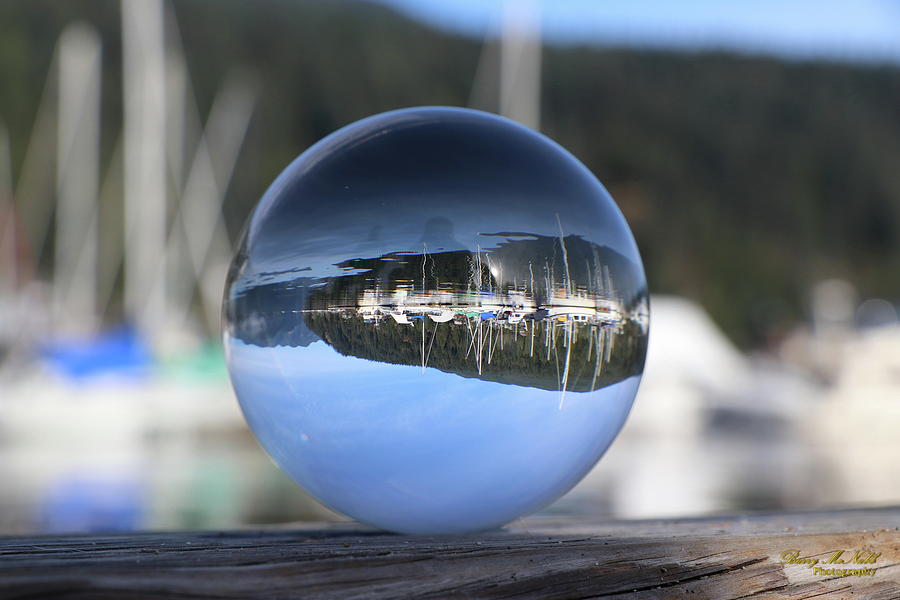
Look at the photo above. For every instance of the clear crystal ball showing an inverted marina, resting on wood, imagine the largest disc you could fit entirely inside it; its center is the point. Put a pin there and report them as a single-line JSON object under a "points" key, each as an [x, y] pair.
{"points": [[436, 320]]}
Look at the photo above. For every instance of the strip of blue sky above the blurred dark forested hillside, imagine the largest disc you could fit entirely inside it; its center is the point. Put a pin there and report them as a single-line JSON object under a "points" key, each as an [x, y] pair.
{"points": [[864, 30]]}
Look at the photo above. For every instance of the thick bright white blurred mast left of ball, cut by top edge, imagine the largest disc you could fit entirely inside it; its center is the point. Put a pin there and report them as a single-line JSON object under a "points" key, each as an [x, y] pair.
{"points": [[145, 191]]}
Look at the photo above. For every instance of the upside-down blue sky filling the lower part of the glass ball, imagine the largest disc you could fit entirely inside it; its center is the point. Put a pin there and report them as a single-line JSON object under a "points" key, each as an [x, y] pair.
{"points": [[420, 450]]}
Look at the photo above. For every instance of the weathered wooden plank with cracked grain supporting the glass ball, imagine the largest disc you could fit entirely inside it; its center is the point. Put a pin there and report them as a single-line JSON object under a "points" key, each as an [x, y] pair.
{"points": [[737, 557]]}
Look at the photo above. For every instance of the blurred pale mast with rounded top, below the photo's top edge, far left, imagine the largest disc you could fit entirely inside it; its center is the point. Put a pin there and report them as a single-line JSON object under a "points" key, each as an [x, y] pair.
{"points": [[77, 165]]}
